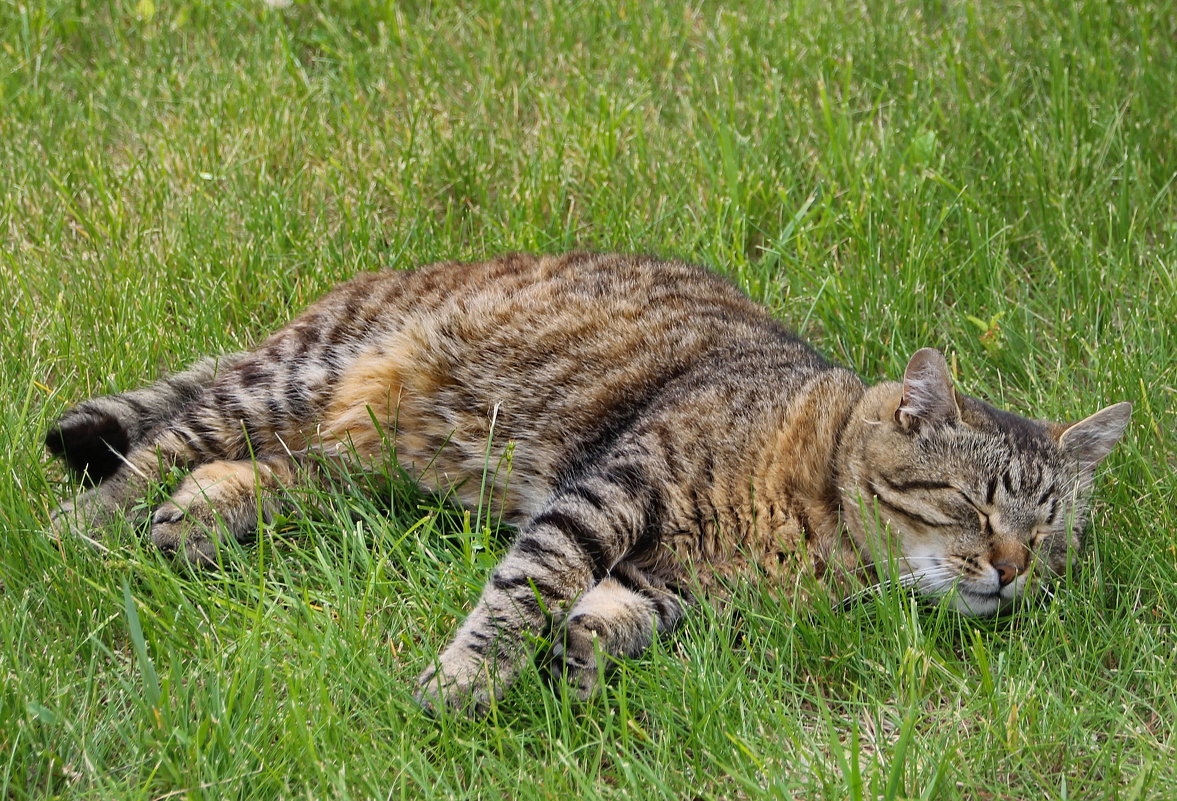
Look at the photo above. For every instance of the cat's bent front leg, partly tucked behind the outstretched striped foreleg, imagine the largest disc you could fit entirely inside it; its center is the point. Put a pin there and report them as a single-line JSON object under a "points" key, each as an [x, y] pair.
{"points": [[617, 619]]}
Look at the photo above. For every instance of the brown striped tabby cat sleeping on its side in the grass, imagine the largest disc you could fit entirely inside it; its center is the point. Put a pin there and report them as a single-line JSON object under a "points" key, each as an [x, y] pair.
{"points": [[666, 436]]}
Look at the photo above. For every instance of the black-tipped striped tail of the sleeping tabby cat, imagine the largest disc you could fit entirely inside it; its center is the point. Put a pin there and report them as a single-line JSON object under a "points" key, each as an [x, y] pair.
{"points": [[94, 437]]}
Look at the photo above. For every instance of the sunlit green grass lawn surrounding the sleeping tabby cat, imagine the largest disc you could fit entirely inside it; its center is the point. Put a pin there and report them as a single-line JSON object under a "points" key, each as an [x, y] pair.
{"points": [[995, 179]]}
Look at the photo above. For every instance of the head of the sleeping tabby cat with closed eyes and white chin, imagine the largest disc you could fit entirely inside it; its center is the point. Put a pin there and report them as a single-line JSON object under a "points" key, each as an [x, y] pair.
{"points": [[962, 500]]}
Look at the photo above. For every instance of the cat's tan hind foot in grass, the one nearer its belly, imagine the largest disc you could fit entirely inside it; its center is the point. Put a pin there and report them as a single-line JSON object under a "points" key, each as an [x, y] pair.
{"points": [[220, 499]]}
